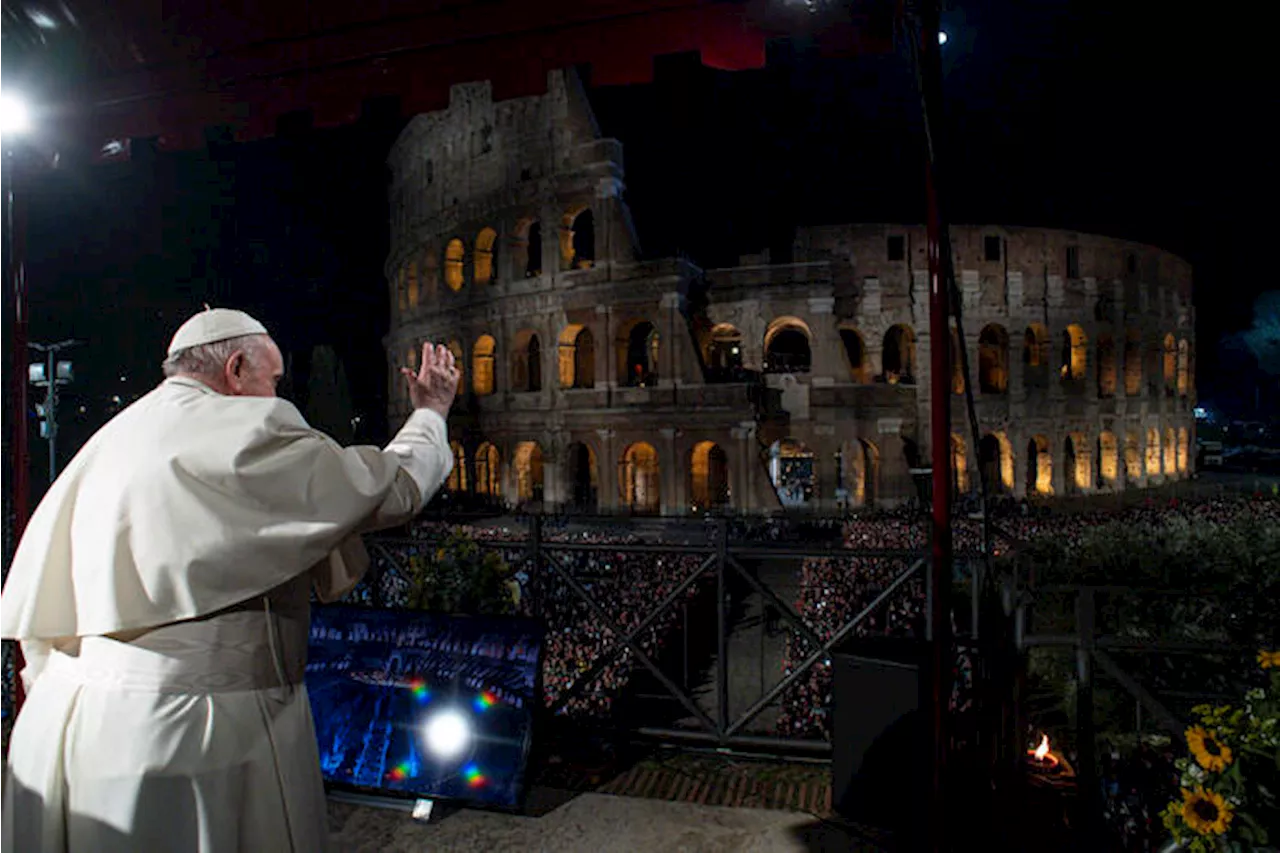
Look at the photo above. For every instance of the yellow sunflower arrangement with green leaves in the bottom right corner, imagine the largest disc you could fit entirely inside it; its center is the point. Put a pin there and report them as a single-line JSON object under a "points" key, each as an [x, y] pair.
{"points": [[1231, 782]]}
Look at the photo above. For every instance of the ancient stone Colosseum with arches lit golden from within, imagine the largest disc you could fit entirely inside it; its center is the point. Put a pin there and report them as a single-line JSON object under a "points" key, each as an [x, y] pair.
{"points": [[600, 380]]}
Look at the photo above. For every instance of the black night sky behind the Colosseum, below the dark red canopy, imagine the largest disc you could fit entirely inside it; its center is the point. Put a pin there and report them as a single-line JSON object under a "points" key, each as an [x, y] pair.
{"points": [[1122, 121]]}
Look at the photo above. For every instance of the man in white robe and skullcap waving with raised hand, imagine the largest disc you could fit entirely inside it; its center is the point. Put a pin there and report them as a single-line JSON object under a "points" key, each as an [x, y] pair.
{"points": [[161, 595]]}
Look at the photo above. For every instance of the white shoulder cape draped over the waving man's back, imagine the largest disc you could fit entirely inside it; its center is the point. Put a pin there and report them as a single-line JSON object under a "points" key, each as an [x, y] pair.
{"points": [[186, 504]]}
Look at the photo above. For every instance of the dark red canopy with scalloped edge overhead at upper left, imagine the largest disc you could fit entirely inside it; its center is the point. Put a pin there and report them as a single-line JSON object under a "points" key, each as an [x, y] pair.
{"points": [[159, 69]]}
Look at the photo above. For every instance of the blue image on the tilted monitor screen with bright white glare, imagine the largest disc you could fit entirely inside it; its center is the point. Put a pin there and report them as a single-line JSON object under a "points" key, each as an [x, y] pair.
{"points": [[424, 705]]}
